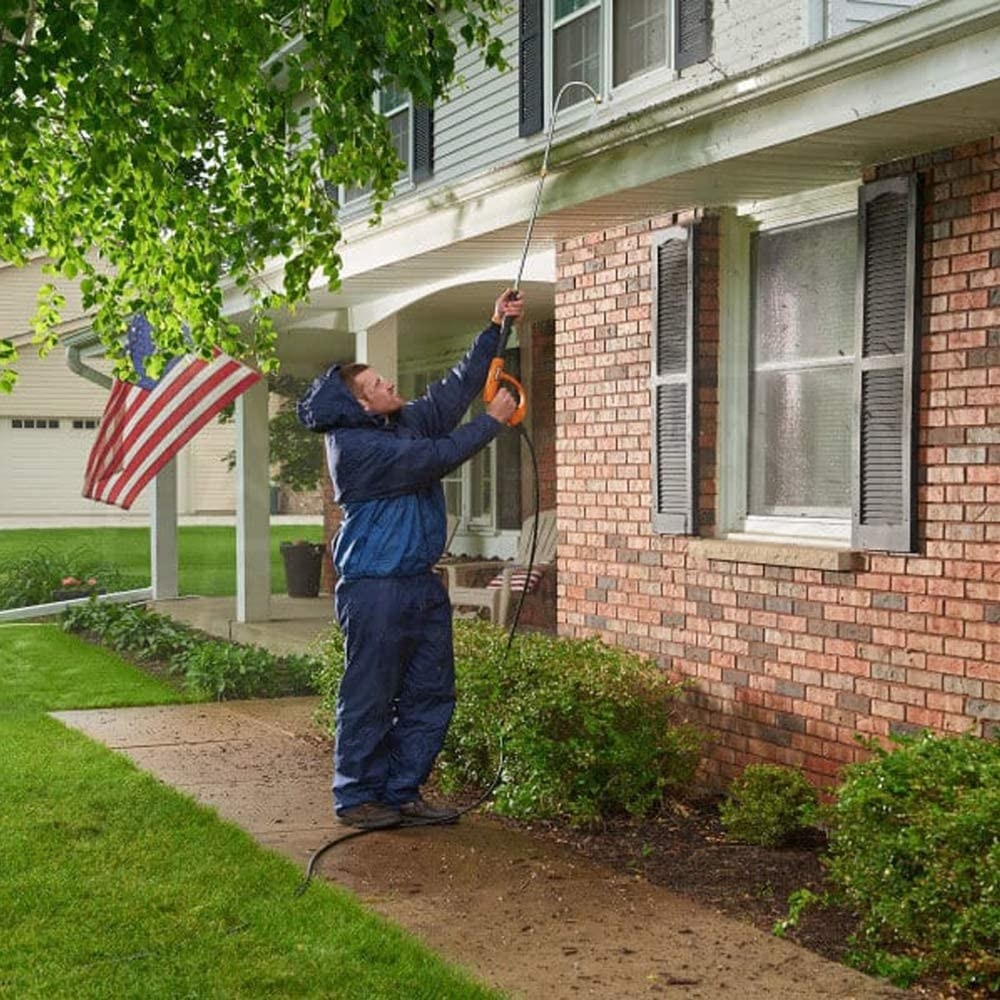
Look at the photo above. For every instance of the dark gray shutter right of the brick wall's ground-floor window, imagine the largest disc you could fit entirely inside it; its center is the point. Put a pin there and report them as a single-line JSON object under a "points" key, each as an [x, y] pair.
{"points": [[886, 368]]}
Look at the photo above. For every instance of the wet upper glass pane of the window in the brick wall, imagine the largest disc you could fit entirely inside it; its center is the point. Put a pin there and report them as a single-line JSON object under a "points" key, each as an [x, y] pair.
{"points": [[804, 301]]}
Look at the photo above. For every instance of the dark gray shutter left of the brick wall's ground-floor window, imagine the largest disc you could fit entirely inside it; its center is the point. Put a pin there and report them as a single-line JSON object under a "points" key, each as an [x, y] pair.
{"points": [[673, 382]]}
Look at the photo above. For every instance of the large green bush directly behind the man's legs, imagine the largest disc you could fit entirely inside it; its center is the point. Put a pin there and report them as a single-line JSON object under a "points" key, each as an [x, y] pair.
{"points": [[589, 731]]}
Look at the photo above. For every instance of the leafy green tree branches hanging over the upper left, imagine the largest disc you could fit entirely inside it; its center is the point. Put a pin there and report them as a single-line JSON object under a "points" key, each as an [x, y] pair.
{"points": [[154, 150]]}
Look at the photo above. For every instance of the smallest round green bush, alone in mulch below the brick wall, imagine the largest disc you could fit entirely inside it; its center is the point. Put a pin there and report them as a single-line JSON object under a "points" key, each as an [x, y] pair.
{"points": [[768, 805]]}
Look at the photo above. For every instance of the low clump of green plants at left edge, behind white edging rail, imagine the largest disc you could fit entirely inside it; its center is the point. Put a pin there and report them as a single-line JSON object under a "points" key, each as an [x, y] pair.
{"points": [[33, 578]]}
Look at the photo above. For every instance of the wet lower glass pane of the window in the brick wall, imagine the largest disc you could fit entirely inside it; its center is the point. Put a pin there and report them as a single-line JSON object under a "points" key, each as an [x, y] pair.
{"points": [[800, 441]]}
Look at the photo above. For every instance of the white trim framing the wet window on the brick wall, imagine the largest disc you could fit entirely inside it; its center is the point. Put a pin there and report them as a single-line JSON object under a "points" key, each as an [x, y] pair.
{"points": [[735, 288]]}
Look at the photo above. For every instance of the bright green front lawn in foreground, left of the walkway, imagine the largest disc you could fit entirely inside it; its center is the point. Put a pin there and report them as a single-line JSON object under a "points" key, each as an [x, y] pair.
{"points": [[115, 886]]}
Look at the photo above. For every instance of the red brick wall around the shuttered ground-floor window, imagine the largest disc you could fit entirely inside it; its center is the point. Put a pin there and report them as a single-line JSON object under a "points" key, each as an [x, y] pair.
{"points": [[790, 663]]}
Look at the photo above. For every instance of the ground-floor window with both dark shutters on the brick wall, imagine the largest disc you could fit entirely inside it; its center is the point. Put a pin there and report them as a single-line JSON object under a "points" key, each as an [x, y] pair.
{"points": [[818, 326]]}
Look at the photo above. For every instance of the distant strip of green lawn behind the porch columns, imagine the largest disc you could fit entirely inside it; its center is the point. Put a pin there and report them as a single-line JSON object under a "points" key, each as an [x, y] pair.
{"points": [[206, 554]]}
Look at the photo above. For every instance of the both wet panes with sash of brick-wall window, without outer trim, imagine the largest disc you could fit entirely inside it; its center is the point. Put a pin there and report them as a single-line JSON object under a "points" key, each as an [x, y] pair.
{"points": [[801, 370]]}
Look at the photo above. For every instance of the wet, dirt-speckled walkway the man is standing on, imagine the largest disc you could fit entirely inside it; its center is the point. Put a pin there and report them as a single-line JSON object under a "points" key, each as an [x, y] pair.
{"points": [[526, 916]]}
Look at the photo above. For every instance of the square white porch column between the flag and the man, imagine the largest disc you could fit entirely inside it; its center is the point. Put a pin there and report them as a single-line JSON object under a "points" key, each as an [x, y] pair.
{"points": [[253, 522]]}
